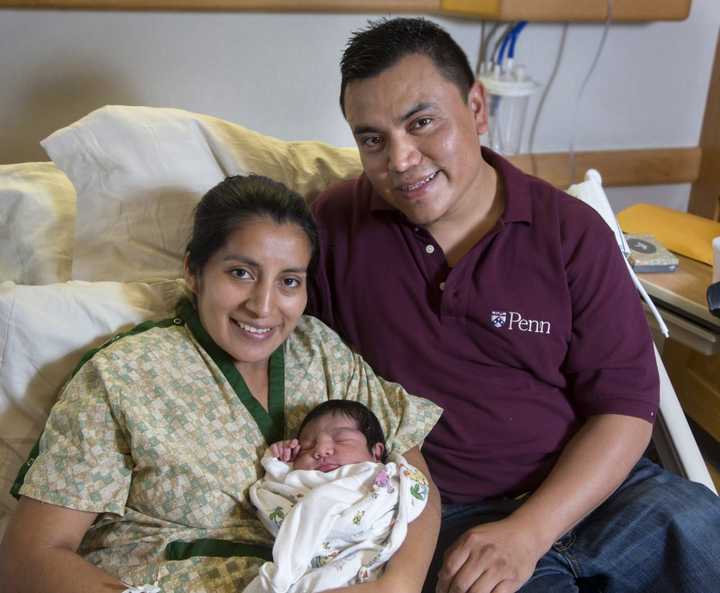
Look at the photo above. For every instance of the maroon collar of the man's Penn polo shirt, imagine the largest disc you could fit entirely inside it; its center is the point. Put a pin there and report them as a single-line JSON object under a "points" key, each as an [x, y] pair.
{"points": [[518, 207]]}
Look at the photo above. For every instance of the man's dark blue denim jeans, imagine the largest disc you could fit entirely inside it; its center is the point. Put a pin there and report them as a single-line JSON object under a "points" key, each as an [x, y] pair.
{"points": [[658, 533]]}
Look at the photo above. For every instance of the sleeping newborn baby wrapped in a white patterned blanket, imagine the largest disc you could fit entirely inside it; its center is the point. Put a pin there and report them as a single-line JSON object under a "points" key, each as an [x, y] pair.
{"points": [[336, 505]]}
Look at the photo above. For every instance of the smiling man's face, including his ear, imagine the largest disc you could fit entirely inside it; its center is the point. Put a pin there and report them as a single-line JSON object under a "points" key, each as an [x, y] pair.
{"points": [[419, 139]]}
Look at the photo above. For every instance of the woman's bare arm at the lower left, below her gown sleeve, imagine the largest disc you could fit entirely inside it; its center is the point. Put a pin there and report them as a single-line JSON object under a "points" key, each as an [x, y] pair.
{"points": [[39, 552]]}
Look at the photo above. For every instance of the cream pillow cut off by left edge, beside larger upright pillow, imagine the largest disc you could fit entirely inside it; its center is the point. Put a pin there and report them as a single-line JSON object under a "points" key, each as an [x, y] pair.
{"points": [[37, 223]]}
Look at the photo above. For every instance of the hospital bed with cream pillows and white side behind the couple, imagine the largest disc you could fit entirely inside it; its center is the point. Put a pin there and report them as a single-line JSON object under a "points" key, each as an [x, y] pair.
{"points": [[91, 244]]}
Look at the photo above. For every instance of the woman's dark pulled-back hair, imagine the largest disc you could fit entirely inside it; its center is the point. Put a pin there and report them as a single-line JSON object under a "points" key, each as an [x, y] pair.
{"points": [[237, 200]]}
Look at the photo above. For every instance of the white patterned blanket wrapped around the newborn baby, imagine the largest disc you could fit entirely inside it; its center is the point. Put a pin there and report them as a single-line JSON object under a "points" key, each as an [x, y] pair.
{"points": [[337, 528]]}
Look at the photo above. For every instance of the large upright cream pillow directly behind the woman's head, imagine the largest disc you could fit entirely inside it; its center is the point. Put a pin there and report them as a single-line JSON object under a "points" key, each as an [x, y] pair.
{"points": [[139, 171]]}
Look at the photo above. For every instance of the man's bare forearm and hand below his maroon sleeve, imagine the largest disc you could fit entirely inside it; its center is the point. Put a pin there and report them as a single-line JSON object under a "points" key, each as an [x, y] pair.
{"points": [[500, 557]]}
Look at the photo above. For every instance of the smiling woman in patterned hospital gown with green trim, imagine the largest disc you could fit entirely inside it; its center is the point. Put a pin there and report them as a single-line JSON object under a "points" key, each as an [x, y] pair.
{"points": [[146, 459]]}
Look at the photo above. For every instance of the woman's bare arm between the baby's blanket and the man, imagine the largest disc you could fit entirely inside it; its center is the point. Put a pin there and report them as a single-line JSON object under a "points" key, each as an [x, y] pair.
{"points": [[406, 570]]}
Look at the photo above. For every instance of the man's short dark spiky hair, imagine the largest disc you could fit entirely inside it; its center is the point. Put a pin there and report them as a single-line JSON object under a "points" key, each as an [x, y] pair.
{"points": [[384, 42]]}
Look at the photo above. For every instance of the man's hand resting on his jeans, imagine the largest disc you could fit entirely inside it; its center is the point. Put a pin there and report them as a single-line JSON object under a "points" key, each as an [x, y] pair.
{"points": [[495, 557]]}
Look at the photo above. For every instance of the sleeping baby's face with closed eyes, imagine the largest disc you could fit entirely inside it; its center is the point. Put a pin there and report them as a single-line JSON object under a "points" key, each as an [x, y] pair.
{"points": [[331, 441]]}
